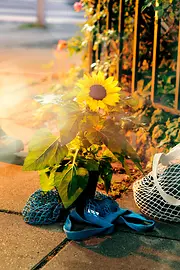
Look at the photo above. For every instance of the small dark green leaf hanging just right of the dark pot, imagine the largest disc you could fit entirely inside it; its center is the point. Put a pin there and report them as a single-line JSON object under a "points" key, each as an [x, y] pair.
{"points": [[106, 173]]}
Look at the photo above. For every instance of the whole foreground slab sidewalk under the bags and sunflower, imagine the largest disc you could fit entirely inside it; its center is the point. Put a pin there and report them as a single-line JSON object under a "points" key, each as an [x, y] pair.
{"points": [[46, 247]]}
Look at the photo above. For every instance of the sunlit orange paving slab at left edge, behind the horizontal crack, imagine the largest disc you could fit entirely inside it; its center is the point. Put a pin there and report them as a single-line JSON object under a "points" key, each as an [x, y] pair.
{"points": [[16, 186]]}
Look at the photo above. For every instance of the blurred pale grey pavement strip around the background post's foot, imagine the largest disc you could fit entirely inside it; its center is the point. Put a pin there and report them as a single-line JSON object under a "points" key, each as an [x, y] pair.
{"points": [[20, 35]]}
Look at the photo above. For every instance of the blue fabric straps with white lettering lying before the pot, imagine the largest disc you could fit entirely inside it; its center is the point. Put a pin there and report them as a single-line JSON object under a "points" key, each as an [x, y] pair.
{"points": [[100, 216]]}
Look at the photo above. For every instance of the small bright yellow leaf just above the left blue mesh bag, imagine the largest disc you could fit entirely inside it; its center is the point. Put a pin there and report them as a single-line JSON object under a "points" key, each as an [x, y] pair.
{"points": [[46, 179]]}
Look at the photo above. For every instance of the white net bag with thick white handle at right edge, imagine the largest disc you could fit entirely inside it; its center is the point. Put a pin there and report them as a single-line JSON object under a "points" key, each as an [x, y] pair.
{"points": [[158, 194]]}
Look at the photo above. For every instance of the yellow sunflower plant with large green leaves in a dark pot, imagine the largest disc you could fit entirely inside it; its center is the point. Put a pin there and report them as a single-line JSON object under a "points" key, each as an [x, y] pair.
{"points": [[90, 137]]}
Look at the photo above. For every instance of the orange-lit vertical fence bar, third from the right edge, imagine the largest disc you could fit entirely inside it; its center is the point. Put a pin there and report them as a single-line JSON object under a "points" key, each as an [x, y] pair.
{"points": [[136, 45]]}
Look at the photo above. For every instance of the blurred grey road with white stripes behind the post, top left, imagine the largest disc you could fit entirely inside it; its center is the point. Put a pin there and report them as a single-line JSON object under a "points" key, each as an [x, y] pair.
{"points": [[56, 11]]}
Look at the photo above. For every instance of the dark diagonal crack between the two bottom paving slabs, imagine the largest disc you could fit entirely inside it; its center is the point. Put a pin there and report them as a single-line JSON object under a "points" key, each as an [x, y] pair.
{"points": [[50, 255]]}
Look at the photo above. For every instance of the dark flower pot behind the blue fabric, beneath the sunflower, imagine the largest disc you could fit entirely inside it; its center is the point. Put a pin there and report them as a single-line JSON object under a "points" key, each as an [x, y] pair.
{"points": [[88, 193]]}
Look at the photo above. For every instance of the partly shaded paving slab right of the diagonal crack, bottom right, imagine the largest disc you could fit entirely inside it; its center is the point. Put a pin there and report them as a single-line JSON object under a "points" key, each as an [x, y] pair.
{"points": [[119, 251]]}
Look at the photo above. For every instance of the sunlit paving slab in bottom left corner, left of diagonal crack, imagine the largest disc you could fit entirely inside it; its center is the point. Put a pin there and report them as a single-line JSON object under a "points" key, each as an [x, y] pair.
{"points": [[22, 246]]}
